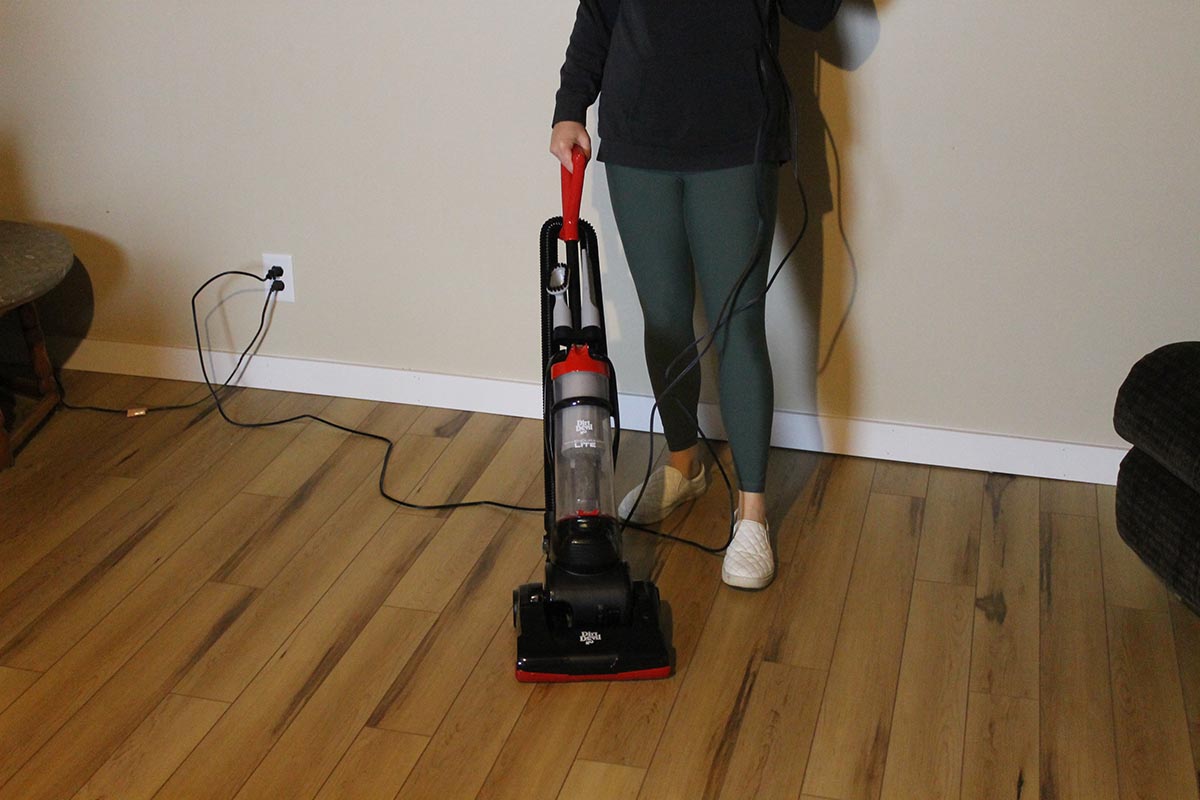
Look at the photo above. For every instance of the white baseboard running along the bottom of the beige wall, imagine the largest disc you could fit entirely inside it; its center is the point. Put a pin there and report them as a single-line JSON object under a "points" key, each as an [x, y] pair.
{"points": [[793, 430]]}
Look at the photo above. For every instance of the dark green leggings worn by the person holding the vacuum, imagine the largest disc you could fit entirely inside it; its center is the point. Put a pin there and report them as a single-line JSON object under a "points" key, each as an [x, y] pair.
{"points": [[677, 227]]}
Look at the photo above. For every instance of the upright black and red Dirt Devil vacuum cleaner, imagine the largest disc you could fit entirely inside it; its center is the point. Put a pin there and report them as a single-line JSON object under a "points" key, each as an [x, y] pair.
{"points": [[589, 621]]}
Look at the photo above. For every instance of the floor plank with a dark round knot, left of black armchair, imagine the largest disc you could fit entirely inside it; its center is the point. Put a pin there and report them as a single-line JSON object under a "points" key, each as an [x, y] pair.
{"points": [[1005, 646]]}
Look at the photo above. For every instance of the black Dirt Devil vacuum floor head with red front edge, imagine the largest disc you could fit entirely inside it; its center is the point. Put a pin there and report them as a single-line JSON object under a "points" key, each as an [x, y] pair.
{"points": [[553, 649]]}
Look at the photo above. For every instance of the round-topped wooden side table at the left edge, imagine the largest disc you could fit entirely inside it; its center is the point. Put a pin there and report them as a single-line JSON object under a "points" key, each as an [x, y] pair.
{"points": [[33, 261]]}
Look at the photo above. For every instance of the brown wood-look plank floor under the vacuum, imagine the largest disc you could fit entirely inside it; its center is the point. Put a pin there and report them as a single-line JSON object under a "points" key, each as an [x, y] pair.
{"points": [[194, 611]]}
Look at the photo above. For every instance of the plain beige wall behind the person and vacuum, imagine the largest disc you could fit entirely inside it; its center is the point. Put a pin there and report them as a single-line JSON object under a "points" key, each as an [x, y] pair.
{"points": [[1019, 184]]}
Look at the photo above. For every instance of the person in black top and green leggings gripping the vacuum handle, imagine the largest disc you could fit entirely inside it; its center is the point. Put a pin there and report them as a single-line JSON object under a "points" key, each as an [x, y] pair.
{"points": [[693, 127]]}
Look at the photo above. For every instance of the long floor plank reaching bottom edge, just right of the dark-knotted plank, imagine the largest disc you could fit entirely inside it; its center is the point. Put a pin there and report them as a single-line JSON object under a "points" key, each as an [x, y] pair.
{"points": [[1078, 739]]}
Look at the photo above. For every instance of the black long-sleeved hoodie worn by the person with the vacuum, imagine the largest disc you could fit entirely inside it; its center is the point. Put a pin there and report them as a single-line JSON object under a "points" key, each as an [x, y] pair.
{"points": [[683, 85]]}
